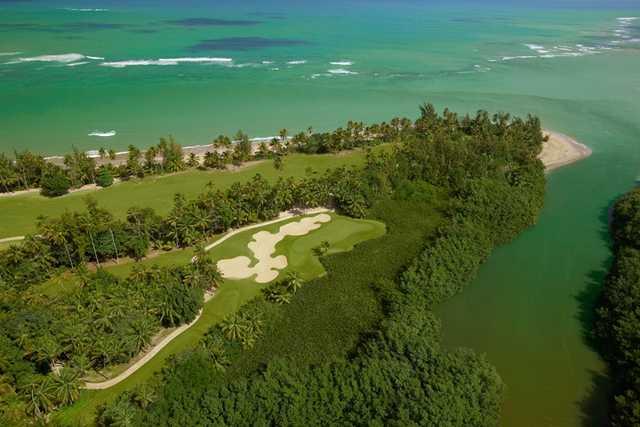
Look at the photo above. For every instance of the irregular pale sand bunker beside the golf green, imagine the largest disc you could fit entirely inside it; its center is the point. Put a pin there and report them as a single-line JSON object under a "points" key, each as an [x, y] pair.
{"points": [[263, 247]]}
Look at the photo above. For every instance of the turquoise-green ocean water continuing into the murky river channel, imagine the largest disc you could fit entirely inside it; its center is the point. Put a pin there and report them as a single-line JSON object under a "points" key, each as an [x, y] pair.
{"points": [[195, 69]]}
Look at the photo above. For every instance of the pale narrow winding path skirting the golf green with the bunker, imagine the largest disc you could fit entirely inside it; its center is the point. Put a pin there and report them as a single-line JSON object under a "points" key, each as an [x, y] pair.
{"points": [[149, 354]]}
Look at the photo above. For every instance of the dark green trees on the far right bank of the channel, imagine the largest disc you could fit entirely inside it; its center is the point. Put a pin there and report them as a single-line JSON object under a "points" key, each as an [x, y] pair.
{"points": [[617, 325]]}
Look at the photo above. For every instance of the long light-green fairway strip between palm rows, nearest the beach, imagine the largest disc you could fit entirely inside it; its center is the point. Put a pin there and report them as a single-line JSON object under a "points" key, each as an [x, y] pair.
{"points": [[18, 214]]}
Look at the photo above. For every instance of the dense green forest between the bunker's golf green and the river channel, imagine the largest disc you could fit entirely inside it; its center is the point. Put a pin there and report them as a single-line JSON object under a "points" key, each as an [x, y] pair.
{"points": [[341, 350]]}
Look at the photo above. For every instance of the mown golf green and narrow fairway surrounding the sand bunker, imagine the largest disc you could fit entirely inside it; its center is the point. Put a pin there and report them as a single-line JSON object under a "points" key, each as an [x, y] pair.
{"points": [[342, 233]]}
